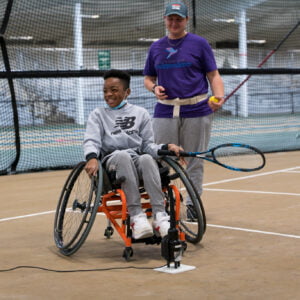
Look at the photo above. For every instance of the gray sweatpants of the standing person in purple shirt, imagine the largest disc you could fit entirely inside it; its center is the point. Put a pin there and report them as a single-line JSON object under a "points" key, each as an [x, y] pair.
{"points": [[192, 134]]}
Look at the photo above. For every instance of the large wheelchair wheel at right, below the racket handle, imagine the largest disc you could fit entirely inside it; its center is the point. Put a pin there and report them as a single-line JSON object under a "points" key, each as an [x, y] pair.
{"points": [[192, 214]]}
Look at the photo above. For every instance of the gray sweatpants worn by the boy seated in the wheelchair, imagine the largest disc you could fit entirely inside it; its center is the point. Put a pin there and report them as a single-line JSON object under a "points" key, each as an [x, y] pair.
{"points": [[134, 168]]}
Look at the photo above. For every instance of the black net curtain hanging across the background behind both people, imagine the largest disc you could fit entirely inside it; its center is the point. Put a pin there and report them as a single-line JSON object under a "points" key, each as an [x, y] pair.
{"points": [[54, 54]]}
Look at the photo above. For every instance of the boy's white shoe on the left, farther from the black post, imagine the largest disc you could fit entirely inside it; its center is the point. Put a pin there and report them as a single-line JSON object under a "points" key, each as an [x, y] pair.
{"points": [[140, 226]]}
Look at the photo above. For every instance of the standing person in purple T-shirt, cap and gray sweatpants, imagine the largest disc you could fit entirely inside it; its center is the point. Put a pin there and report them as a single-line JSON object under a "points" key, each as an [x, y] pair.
{"points": [[179, 69]]}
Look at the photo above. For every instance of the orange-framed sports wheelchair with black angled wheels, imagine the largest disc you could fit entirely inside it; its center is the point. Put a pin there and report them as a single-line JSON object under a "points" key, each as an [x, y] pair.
{"points": [[82, 197]]}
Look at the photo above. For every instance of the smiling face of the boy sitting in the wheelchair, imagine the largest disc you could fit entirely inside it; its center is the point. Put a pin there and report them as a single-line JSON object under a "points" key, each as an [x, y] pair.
{"points": [[114, 91]]}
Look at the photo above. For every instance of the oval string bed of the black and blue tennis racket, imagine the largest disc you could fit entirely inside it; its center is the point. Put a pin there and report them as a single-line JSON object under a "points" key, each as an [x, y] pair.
{"points": [[239, 157]]}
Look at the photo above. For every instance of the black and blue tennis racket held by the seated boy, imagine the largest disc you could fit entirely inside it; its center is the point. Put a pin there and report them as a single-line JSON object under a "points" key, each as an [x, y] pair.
{"points": [[232, 156]]}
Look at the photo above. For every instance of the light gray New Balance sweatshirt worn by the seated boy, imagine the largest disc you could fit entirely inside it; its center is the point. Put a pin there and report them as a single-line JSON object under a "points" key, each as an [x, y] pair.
{"points": [[110, 130]]}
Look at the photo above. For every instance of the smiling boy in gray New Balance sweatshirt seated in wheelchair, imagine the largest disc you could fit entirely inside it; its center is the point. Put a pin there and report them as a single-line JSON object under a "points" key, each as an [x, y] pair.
{"points": [[121, 135]]}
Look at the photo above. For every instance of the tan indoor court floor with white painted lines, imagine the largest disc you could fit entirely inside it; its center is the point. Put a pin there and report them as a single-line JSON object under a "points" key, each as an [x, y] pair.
{"points": [[249, 251]]}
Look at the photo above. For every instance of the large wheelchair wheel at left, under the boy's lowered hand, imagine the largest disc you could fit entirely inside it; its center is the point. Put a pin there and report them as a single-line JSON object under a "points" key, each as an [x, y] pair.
{"points": [[77, 209]]}
